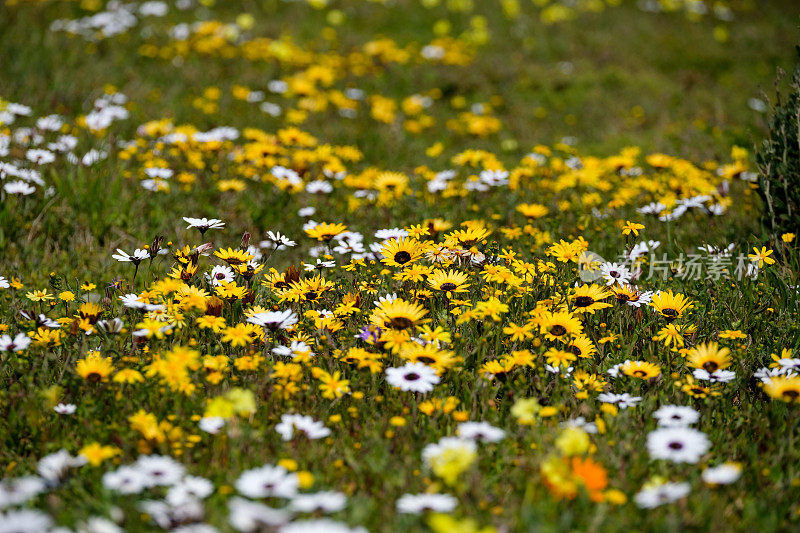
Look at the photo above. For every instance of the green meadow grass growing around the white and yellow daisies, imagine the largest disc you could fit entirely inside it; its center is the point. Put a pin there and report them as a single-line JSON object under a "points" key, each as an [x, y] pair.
{"points": [[613, 79]]}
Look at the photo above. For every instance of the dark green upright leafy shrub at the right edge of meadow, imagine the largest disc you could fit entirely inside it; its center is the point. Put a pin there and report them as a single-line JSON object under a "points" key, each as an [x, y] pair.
{"points": [[779, 162]]}
